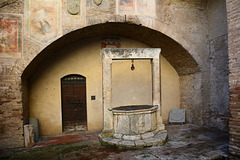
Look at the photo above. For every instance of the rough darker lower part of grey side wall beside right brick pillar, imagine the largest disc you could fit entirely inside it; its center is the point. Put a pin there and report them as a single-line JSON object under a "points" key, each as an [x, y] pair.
{"points": [[219, 111]]}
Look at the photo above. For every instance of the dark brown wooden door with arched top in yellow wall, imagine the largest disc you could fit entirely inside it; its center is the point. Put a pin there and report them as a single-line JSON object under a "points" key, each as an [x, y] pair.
{"points": [[74, 113]]}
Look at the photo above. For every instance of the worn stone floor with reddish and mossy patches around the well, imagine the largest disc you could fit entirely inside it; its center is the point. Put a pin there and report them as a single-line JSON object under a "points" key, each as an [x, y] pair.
{"points": [[184, 142]]}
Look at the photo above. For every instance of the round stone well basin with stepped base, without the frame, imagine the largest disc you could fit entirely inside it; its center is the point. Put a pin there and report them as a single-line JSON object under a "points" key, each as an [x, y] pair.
{"points": [[135, 127]]}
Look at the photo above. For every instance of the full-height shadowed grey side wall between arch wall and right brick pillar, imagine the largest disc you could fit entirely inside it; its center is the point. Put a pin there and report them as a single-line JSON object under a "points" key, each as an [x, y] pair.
{"points": [[218, 46]]}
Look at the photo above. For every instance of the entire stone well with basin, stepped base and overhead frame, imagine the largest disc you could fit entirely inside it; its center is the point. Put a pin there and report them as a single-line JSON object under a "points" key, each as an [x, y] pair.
{"points": [[132, 126]]}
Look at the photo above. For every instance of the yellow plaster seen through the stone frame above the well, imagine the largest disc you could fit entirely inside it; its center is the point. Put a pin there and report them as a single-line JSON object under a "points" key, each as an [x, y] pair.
{"points": [[131, 87]]}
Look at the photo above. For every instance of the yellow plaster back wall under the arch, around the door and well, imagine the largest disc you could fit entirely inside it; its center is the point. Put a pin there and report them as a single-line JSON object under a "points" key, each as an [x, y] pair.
{"points": [[83, 57]]}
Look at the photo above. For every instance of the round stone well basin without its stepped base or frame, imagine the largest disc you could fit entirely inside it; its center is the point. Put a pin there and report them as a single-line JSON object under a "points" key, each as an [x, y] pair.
{"points": [[130, 122]]}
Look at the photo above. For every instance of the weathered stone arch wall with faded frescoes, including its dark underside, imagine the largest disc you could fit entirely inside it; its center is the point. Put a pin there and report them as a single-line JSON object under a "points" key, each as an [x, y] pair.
{"points": [[187, 49]]}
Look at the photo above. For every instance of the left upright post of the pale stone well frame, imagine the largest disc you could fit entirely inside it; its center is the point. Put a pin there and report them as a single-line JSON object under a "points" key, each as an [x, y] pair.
{"points": [[107, 96]]}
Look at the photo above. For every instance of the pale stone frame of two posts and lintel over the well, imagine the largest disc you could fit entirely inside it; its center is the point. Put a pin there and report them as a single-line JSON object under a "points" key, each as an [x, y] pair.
{"points": [[110, 54]]}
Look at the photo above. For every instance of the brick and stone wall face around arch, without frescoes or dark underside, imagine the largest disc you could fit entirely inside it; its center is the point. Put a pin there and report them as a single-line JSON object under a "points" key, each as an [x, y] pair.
{"points": [[184, 21]]}
